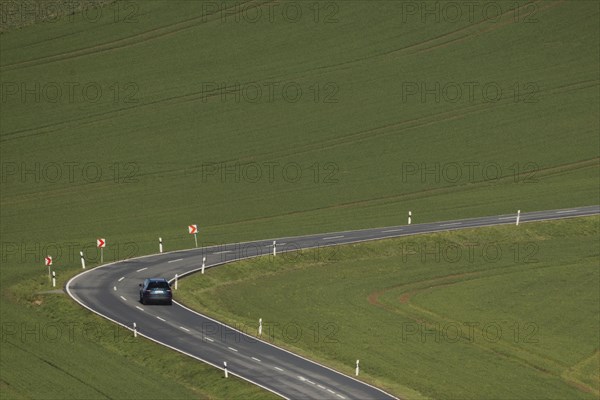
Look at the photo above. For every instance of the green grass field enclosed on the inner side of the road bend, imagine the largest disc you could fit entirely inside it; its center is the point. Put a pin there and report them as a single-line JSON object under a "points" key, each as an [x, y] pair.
{"points": [[489, 313]]}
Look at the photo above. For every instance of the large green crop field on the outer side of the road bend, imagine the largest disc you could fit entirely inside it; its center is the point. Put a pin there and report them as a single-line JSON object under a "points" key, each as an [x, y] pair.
{"points": [[129, 120]]}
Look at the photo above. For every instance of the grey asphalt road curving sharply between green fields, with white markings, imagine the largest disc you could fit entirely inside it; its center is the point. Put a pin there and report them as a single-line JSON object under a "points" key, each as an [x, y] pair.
{"points": [[111, 291]]}
